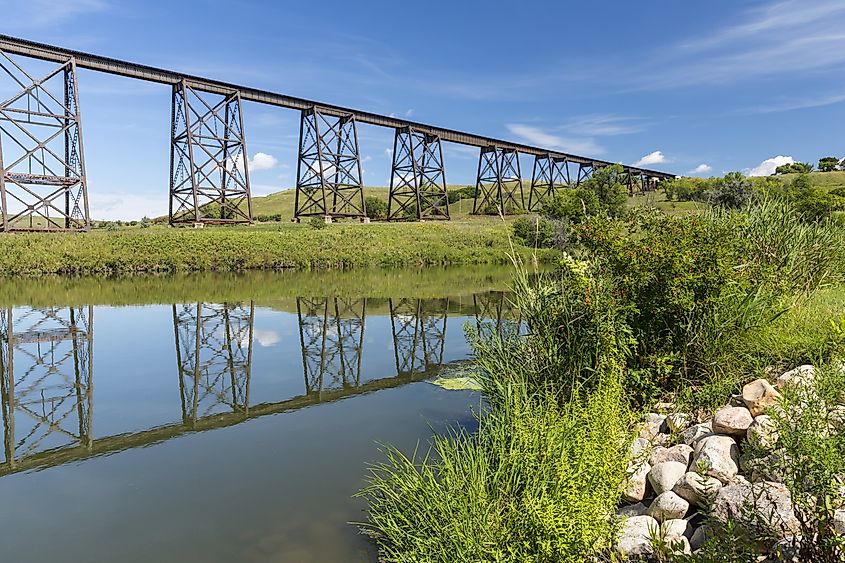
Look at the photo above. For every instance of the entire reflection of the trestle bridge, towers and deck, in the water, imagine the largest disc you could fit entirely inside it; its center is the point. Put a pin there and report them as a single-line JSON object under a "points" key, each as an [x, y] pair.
{"points": [[46, 367]]}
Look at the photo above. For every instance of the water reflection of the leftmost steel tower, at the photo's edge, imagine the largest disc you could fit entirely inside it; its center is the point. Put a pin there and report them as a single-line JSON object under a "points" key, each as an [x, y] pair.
{"points": [[45, 375]]}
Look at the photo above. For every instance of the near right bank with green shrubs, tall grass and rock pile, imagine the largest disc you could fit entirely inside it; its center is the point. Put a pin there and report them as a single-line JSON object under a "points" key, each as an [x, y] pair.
{"points": [[678, 394]]}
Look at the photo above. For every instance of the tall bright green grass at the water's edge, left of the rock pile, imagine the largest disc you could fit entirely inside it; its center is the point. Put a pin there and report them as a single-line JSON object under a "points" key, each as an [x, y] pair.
{"points": [[539, 478]]}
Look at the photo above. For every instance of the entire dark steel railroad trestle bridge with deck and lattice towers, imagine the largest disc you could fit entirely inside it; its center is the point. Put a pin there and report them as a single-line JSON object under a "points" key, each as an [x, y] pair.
{"points": [[44, 185]]}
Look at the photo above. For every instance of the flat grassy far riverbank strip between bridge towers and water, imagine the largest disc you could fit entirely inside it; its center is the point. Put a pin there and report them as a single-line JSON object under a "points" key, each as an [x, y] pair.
{"points": [[262, 247]]}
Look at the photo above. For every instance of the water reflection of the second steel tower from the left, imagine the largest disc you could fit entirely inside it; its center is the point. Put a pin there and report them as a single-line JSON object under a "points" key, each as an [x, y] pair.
{"points": [[214, 353]]}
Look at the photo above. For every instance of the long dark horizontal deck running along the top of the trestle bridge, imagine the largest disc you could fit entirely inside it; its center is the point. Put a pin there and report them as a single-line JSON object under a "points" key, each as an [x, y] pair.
{"points": [[169, 77]]}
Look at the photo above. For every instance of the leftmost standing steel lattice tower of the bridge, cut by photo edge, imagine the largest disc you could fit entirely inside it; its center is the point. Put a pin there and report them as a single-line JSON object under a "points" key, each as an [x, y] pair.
{"points": [[43, 185]]}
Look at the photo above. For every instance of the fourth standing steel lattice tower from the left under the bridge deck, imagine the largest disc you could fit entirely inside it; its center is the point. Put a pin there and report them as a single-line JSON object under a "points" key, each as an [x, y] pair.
{"points": [[418, 178]]}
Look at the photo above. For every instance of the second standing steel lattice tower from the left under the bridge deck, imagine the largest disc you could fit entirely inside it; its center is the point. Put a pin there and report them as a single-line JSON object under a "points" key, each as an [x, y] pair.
{"points": [[209, 171]]}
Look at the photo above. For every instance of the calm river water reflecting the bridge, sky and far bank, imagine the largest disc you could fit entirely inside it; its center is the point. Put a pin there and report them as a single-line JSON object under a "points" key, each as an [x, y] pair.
{"points": [[220, 418]]}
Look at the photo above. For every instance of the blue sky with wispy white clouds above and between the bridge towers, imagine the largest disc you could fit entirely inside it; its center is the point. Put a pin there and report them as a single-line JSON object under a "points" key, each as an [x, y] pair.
{"points": [[690, 88]]}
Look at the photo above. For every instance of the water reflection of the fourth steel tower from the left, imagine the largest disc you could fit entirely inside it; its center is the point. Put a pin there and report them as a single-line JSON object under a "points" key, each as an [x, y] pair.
{"points": [[419, 333]]}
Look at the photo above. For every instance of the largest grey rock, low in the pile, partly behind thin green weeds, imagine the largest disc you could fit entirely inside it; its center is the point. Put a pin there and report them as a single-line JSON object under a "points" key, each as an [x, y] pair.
{"points": [[764, 505]]}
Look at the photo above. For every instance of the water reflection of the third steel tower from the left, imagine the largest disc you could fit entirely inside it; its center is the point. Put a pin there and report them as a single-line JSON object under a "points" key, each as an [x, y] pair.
{"points": [[331, 331]]}
